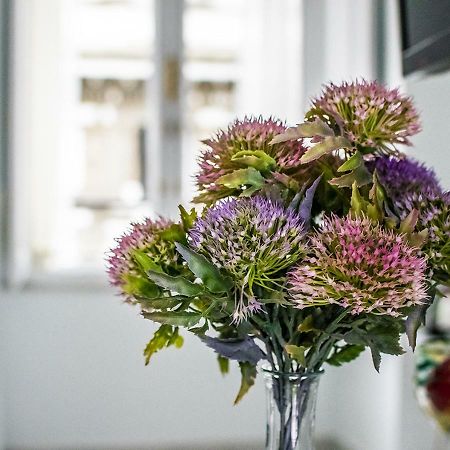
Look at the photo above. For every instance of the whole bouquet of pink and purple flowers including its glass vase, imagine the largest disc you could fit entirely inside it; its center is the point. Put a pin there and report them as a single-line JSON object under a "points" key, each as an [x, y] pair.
{"points": [[313, 243]]}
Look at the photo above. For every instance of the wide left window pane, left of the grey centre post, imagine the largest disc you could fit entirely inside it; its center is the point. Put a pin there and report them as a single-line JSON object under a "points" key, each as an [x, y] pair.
{"points": [[104, 71]]}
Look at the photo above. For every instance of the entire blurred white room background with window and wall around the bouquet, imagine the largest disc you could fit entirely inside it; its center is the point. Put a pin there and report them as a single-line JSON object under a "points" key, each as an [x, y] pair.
{"points": [[103, 104]]}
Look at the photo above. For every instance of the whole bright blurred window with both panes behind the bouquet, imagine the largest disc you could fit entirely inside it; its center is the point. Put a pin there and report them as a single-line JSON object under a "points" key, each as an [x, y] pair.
{"points": [[91, 112]]}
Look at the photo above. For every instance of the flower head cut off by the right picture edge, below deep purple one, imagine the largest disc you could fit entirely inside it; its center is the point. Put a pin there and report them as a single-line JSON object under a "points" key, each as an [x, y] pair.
{"points": [[434, 216]]}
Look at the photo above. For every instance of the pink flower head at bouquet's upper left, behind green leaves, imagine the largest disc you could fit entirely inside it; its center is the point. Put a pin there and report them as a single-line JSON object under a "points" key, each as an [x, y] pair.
{"points": [[222, 154]]}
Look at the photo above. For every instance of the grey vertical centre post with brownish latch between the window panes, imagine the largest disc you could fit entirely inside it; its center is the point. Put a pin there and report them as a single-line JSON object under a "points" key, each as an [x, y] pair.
{"points": [[165, 156]]}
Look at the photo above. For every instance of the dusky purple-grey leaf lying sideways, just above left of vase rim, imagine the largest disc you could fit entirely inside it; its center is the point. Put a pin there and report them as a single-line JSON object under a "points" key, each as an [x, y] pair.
{"points": [[244, 350]]}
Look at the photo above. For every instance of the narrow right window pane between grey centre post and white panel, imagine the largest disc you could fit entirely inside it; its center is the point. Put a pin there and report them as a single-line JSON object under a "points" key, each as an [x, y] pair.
{"points": [[213, 53]]}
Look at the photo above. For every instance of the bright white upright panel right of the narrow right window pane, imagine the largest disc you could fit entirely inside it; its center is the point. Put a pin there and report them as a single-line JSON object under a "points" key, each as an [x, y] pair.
{"points": [[272, 67]]}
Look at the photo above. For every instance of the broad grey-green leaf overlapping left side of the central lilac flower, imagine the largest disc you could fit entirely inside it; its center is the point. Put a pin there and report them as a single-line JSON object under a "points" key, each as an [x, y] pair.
{"points": [[202, 268]]}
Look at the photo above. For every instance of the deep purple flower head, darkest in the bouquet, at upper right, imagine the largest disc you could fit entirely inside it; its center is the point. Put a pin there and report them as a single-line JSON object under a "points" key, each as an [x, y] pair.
{"points": [[401, 176]]}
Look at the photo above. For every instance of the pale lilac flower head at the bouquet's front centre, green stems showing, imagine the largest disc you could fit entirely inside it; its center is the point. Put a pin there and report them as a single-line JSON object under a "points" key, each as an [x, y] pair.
{"points": [[254, 240]]}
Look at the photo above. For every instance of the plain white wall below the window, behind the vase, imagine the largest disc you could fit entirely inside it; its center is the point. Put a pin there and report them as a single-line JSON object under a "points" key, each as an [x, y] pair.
{"points": [[75, 378]]}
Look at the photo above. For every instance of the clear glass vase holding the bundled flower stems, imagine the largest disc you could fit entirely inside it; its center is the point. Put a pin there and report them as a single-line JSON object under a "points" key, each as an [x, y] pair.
{"points": [[291, 407]]}
